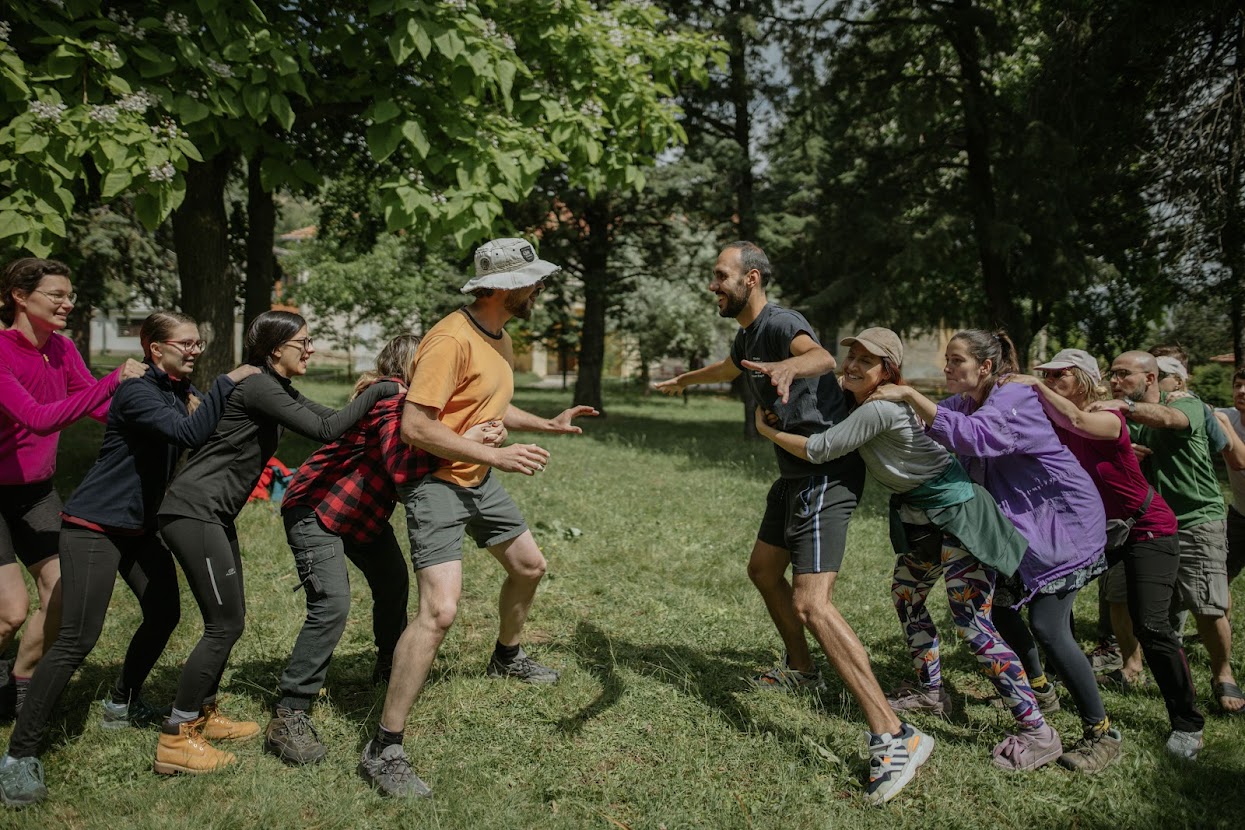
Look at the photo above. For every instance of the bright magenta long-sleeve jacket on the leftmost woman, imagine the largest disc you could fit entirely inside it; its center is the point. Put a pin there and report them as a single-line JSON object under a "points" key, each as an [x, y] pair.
{"points": [[42, 393]]}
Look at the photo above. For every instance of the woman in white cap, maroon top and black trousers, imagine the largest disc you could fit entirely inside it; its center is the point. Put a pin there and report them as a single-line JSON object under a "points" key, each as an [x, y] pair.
{"points": [[1100, 441]]}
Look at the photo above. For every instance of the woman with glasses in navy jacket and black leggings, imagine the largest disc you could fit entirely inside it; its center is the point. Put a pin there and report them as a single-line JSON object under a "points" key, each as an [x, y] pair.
{"points": [[109, 527]]}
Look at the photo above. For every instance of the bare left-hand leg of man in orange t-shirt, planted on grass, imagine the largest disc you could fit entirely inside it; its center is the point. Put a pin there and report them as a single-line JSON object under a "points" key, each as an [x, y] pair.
{"points": [[439, 589]]}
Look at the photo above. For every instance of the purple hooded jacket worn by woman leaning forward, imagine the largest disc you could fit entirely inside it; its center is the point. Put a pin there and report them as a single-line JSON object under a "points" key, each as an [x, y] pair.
{"points": [[1010, 449]]}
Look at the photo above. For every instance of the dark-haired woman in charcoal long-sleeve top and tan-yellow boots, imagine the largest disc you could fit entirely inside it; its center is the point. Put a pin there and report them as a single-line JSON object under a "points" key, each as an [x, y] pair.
{"points": [[197, 522]]}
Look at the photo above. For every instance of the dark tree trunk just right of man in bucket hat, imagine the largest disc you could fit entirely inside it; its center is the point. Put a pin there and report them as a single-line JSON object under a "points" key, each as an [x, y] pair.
{"points": [[592, 339]]}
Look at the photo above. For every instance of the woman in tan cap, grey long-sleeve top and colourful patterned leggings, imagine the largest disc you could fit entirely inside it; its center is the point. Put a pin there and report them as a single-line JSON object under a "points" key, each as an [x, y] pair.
{"points": [[952, 529]]}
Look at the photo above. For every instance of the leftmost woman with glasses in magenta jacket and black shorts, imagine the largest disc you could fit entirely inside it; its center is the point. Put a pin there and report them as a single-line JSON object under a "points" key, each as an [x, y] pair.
{"points": [[44, 388]]}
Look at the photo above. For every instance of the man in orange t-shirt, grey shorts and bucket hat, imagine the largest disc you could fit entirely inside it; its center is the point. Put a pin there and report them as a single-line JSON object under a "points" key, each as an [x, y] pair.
{"points": [[463, 376]]}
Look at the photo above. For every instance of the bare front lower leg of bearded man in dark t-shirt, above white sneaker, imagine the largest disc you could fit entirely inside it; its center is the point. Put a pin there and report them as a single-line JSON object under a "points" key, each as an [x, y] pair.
{"points": [[815, 609]]}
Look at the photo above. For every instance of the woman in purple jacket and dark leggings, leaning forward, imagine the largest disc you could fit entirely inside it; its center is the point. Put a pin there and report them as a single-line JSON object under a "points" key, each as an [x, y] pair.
{"points": [[1008, 445]]}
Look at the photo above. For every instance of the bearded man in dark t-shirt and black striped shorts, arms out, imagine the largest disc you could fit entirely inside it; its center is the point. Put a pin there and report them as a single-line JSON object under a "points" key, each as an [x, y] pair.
{"points": [[807, 510]]}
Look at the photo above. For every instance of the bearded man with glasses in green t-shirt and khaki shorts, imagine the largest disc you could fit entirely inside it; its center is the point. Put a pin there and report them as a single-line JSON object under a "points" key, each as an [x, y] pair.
{"points": [[1178, 466]]}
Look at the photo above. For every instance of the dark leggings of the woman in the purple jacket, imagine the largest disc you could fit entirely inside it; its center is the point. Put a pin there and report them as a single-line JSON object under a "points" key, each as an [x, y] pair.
{"points": [[1051, 618]]}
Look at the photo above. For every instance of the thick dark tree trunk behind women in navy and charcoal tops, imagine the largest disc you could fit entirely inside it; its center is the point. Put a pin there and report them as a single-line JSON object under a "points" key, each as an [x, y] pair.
{"points": [[201, 232]]}
